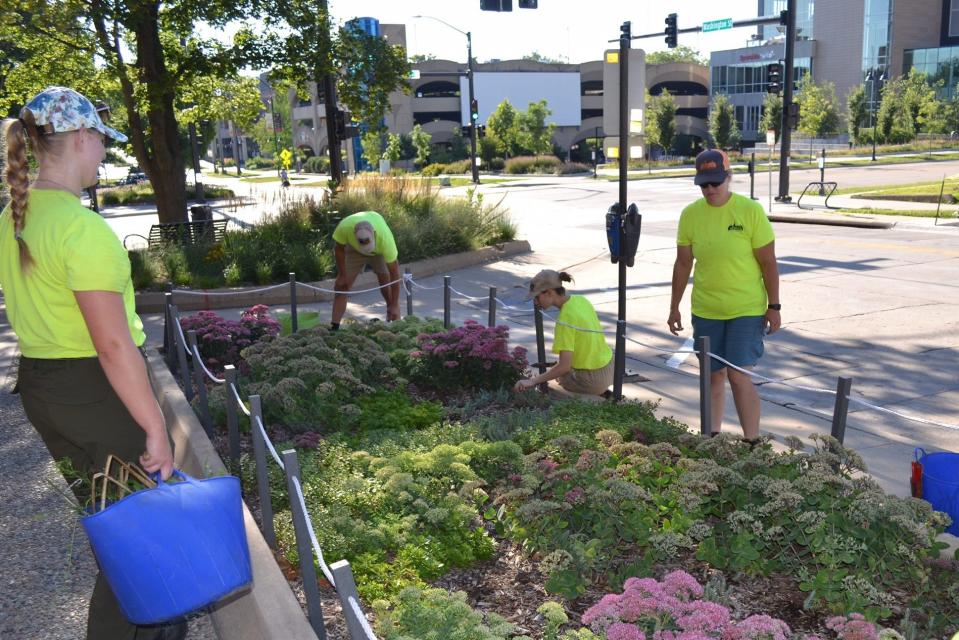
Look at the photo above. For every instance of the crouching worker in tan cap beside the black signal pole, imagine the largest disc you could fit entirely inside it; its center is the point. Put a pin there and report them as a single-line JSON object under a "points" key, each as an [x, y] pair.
{"points": [[585, 360]]}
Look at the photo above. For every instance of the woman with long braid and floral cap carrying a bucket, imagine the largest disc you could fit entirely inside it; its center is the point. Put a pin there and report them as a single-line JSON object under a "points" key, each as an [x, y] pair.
{"points": [[69, 298]]}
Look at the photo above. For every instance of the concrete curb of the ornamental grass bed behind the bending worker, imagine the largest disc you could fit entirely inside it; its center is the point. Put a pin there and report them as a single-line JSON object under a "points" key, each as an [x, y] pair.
{"points": [[155, 301]]}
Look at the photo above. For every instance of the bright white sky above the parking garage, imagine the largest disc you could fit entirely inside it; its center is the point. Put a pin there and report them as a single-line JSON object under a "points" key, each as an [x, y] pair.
{"points": [[576, 31]]}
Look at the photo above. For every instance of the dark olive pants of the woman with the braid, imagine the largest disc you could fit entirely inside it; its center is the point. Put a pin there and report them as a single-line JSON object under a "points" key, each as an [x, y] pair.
{"points": [[78, 415]]}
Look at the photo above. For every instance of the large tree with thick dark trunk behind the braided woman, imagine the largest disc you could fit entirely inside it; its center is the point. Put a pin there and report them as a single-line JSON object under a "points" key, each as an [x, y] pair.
{"points": [[152, 52]]}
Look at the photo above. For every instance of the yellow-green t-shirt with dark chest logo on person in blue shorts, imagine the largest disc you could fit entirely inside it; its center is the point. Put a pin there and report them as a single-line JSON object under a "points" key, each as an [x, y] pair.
{"points": [[727, 280]]}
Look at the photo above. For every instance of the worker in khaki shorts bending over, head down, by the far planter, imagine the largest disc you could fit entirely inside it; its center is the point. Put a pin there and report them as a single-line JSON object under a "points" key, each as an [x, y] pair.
{"points": [[365, 239]]}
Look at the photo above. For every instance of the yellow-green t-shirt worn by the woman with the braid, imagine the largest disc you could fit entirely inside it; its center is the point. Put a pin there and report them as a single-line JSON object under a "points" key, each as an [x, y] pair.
{"points": [[73, 249]]}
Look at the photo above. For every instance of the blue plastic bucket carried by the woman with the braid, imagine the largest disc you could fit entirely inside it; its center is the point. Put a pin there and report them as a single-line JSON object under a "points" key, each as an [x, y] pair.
{"points": [[172, 549]]}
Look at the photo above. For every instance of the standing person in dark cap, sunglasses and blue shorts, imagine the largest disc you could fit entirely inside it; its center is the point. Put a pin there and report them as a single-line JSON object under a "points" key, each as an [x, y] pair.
{"points": [[735, 285]]}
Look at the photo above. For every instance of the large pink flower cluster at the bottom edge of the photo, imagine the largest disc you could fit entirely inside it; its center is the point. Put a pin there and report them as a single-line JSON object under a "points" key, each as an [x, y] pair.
{"points": [[671, 610]]}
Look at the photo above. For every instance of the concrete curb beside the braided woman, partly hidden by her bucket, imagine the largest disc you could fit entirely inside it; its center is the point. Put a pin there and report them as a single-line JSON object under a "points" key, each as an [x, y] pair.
{"points": [[270, 609]]}
